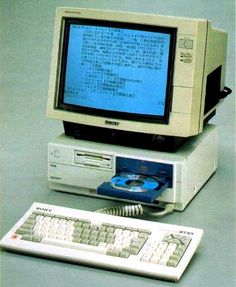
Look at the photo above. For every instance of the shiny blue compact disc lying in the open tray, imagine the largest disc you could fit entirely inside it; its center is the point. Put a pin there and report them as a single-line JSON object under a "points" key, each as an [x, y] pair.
{"points": [[134, 182]]}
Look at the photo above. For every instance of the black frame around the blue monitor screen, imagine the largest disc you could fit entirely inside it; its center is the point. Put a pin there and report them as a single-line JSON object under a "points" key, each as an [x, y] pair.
{"points": [[59, 103]]}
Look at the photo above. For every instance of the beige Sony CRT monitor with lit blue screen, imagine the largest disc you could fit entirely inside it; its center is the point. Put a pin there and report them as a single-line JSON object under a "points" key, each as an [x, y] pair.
{"points": [[146, 74]]}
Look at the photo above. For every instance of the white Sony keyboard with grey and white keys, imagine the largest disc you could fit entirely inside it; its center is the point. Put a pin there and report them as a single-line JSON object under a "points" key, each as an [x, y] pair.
{"points": [[119, 243]]}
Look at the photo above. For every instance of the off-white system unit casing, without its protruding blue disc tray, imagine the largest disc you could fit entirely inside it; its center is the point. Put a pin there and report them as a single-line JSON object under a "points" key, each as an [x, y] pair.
{"points": [[81, 166]]}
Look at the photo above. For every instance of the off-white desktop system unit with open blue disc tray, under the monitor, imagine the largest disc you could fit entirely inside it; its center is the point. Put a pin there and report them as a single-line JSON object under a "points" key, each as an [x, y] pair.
{"points": [[86, 168]]}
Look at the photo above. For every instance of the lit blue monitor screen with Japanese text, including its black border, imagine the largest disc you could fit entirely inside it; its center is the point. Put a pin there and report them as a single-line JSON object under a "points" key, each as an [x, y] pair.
{"points": [[117, 69]]}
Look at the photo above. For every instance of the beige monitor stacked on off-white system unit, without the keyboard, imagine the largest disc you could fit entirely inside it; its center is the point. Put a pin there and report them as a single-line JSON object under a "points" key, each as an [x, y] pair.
{"points": [[135, 93]]}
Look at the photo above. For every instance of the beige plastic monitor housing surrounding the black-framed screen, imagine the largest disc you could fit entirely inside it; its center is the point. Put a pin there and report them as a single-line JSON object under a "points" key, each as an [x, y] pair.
{"points": [[200, 49]]}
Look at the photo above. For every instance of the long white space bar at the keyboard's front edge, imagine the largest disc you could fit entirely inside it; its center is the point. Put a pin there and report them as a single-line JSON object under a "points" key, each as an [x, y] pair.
{"points": [[72, 245]]}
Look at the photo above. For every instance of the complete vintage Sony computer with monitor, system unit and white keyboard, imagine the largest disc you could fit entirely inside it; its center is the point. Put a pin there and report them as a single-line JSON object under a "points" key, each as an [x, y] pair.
{"points": [[135, 93]]}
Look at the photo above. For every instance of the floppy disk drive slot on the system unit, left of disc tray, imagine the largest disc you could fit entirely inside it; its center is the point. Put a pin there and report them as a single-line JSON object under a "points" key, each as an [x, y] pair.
{"points": [[93, 159]]}
